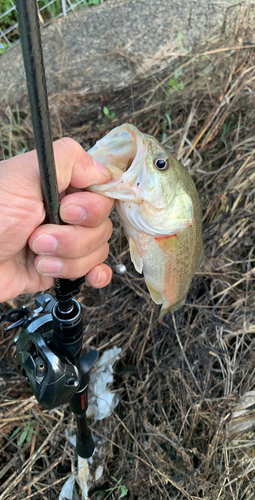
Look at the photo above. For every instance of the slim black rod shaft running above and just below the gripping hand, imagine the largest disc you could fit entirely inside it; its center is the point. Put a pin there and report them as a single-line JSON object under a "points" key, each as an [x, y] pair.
{"points": [[37, 93]]}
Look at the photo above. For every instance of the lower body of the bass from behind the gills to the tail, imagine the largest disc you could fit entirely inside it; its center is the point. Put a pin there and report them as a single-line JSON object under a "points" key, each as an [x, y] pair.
{"points": [[168, 264]]}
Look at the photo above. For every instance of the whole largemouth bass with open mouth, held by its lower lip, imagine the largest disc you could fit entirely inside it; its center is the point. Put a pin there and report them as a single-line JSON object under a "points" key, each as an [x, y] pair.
{"points": [[159, 206]]}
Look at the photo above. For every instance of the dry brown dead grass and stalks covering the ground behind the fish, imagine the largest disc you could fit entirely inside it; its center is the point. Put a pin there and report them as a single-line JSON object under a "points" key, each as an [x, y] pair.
{"points": [[184, 426]]}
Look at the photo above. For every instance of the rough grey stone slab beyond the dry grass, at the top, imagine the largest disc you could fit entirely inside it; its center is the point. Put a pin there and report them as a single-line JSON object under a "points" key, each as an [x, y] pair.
{"points": [[108, 46]]}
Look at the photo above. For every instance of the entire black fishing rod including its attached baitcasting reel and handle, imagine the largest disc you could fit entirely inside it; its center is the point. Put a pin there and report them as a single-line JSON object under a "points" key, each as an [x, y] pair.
{"points": [[49, 341]]}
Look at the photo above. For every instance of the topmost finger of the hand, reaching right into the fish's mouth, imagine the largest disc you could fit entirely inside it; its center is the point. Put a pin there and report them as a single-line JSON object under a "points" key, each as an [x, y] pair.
{"points": [[75, 167]]}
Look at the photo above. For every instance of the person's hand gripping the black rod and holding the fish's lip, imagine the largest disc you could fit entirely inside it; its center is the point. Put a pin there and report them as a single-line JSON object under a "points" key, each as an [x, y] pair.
{"points": [[31, 254]]}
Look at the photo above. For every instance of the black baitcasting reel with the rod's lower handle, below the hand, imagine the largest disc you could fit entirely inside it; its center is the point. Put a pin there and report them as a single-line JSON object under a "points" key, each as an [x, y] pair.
{"points": [[48, 347]]}
